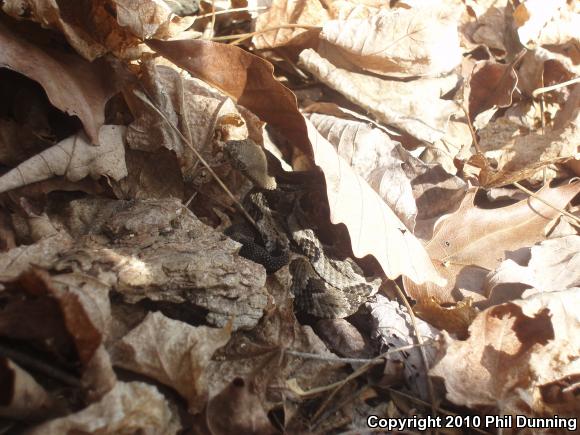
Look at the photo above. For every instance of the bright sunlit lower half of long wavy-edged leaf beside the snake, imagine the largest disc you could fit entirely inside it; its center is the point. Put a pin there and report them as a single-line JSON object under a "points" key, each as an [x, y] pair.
{"points": [[373, 227]]}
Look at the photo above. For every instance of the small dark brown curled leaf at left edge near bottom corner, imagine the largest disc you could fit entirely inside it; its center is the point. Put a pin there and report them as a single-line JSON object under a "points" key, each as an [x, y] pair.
{"points": [[24, 397]]}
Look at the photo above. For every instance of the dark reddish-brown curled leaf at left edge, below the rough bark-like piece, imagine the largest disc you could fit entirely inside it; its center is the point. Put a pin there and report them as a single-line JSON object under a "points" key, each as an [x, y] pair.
{"points": [[66, 318]]}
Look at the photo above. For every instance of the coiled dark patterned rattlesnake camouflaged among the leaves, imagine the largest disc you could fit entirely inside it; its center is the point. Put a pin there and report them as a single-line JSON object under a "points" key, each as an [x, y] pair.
{"points": [[323, 287]]}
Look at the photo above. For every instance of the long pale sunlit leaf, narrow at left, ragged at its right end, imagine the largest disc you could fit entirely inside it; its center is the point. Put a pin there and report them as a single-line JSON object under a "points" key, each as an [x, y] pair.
{"points": [[415, 107]]}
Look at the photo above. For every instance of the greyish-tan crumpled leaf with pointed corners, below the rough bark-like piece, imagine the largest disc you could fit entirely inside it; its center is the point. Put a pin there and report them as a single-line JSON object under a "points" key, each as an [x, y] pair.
{"points": [[173, 353]]}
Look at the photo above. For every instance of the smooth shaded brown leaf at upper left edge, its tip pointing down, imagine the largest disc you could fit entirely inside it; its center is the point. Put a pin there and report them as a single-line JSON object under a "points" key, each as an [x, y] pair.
{"points": [[72, 84]]}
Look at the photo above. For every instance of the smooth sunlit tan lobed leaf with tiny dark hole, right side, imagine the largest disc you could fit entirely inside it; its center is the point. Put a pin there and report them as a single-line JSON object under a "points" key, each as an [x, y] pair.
{"points": [[472, 241]]}
